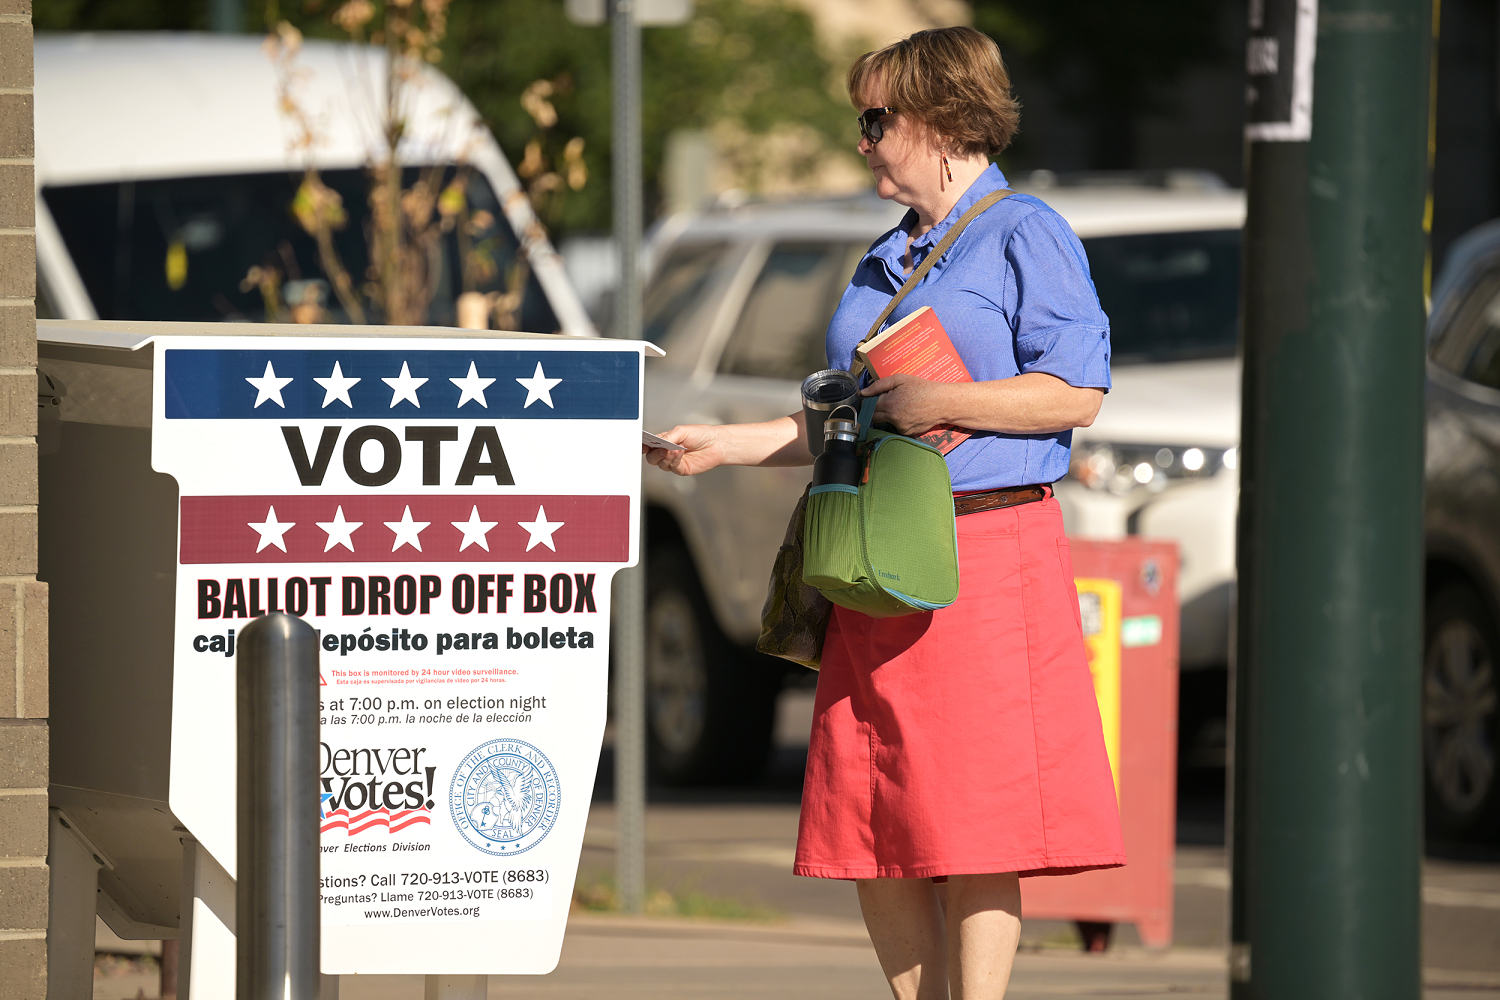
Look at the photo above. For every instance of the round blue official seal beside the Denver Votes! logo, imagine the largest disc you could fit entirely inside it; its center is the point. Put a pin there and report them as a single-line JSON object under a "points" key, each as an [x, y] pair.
{"points": [[505, 797]]}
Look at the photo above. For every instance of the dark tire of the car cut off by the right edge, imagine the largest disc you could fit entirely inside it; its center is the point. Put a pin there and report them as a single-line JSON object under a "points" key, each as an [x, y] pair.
{"points": [[1462, 717]]}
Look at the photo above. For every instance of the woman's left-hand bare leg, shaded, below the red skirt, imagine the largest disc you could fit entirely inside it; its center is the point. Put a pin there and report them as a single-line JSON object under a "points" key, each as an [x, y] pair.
{"points": [[907, 930]]}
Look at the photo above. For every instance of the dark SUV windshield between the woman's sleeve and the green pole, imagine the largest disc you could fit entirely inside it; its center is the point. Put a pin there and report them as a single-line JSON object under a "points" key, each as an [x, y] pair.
{"points": [[1169, 296]]}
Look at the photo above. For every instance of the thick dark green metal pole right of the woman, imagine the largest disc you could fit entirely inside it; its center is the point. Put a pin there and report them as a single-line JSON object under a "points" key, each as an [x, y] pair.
{"points": [[1328, 809]]}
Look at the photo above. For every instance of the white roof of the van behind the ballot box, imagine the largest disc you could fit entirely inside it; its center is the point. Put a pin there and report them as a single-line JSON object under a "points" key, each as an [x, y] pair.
{"points": [[143, 106]]}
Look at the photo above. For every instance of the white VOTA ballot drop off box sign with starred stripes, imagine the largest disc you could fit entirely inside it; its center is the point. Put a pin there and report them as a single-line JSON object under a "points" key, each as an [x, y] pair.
{"points": [[449, 516]]}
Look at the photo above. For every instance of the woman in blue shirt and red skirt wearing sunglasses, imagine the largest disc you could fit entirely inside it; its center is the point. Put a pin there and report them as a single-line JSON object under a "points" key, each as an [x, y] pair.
{"points": [[958, 752]]}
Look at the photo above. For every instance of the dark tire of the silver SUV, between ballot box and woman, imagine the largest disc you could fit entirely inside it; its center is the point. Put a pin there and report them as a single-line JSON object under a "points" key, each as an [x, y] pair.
{"points": [[710, 705]]}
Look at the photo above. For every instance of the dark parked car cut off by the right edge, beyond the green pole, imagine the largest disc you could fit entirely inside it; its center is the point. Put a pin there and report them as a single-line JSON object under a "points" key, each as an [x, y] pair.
{"points": [[1462, 657]]}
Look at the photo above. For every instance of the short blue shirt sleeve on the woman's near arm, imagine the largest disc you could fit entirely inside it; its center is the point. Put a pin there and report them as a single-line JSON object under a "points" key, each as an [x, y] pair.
{"points": [[1057, 317]]}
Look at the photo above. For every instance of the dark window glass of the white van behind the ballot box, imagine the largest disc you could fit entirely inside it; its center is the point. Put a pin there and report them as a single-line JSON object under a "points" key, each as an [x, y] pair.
{"points": [[230, 248]]}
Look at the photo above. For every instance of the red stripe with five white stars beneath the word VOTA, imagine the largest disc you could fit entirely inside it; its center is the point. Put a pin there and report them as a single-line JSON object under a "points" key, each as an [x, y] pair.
{"points": [[419, 528]]}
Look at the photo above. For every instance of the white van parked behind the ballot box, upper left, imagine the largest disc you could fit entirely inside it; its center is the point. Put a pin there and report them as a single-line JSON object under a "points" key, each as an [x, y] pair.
{"points": [[166, 172]]}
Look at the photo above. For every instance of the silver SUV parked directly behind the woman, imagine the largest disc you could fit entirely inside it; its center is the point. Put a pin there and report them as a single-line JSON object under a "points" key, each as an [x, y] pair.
{"points": [[740, 302]]}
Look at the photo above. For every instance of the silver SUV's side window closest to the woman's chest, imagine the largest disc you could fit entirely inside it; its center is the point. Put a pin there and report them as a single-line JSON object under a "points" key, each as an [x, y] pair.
{"points": [[785, 319]]}
